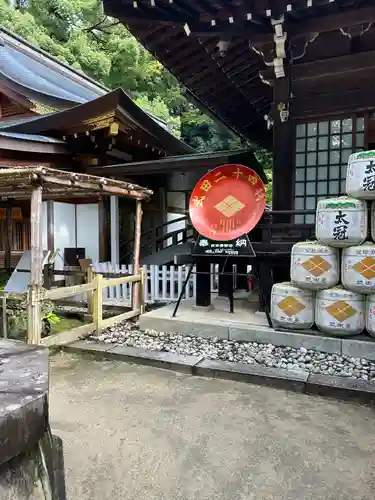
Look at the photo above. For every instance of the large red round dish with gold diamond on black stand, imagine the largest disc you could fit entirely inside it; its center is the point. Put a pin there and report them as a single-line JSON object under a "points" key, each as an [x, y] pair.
{"points": [[227, 202]]}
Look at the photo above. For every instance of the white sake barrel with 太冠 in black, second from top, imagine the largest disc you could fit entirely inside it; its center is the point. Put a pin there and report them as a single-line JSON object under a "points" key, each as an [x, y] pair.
{"points": [[341, 222]]}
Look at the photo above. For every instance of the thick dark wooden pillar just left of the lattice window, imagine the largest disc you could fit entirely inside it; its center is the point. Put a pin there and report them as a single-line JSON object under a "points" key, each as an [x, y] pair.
{"points": [[283, 146]]}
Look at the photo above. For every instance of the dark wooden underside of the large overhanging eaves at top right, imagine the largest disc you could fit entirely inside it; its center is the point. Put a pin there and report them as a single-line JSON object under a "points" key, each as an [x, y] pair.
{"points": [[184, 36]]}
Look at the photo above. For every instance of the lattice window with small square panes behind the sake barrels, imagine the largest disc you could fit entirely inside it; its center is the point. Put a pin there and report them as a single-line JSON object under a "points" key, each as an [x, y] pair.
{"points": [[322, 152]]}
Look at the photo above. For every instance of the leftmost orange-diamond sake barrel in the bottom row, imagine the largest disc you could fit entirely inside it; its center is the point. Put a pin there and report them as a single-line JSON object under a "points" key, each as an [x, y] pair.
{"points": [[292, 307]]}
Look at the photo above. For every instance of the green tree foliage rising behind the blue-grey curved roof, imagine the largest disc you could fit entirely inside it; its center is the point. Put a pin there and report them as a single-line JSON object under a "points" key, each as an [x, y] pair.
{"points": [[78, 33]]}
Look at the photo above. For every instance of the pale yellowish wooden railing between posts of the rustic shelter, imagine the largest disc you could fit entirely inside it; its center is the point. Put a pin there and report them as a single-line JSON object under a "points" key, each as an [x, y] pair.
{"points": [[94, 290]]}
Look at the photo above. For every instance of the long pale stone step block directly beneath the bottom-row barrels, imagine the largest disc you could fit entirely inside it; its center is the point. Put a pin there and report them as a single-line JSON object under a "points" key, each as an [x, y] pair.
{"points": [[266, 335]]}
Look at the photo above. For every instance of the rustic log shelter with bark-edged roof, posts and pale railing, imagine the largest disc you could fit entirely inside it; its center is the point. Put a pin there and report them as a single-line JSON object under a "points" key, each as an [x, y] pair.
{"points": [[37, 183]]}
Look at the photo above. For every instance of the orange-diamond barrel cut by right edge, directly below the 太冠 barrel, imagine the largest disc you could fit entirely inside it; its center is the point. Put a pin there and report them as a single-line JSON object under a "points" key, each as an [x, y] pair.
{"points": [[358, 268]]}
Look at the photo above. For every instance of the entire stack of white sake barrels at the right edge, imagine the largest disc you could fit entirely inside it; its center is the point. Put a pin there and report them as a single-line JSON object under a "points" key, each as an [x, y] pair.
{"points": [[333, 279]]}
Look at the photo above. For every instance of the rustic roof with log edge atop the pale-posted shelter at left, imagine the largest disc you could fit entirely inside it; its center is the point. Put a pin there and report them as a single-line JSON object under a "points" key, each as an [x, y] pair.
{"points": [[18, 183]]}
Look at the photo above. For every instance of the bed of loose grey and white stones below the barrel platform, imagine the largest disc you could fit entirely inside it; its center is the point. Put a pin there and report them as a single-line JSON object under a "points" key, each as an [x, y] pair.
{"points": [[288, 358]]}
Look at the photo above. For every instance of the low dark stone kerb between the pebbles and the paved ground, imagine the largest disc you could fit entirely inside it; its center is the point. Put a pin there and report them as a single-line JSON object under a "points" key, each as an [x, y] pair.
{"points": [[297, 381]]}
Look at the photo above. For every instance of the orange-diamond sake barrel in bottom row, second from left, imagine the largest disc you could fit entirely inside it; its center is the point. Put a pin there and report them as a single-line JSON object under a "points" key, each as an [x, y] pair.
{"points": [[340, 312]]}
